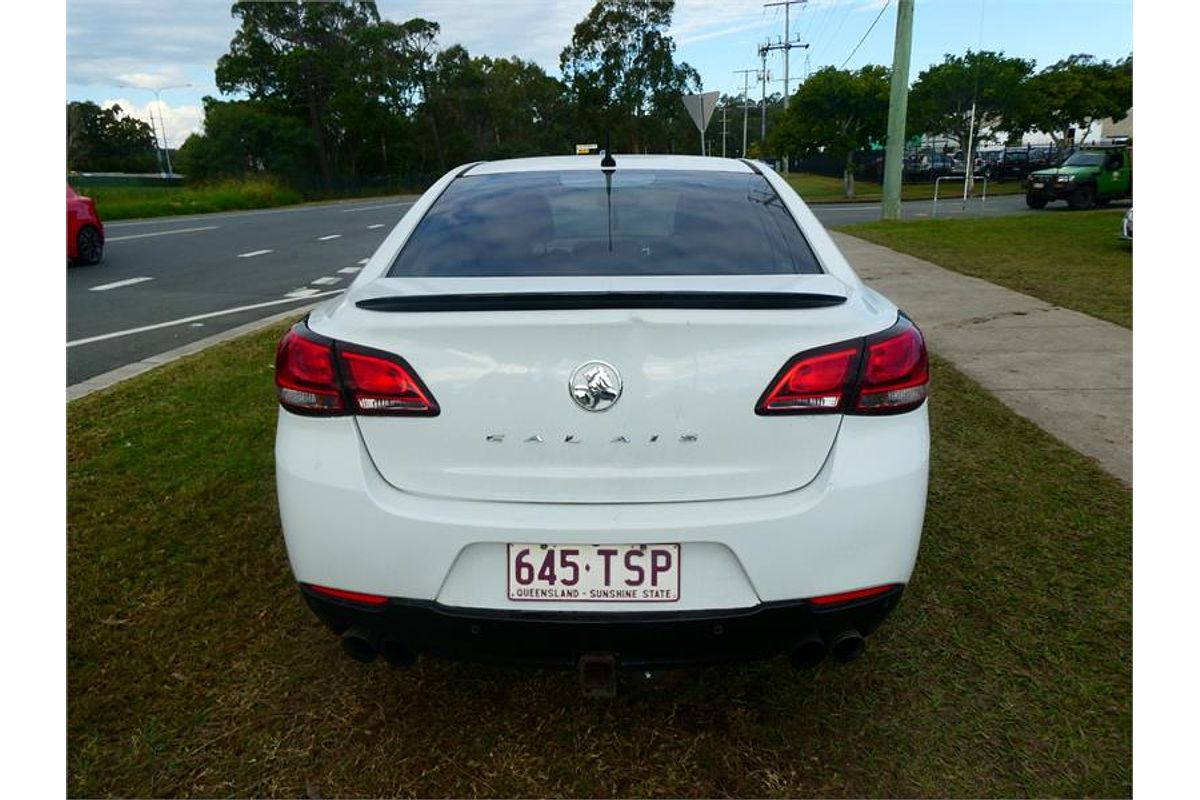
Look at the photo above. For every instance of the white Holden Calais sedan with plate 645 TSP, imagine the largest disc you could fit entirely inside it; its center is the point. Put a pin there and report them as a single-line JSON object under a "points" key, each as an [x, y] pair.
{"points": [[593, 418]]}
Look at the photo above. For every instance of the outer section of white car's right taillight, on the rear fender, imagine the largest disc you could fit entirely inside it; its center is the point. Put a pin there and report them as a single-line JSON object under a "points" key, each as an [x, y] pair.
{"points": [[896, 371]]}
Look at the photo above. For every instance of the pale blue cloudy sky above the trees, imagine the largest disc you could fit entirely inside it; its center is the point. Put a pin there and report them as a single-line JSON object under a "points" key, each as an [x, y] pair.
{"points": [[119, 51]]}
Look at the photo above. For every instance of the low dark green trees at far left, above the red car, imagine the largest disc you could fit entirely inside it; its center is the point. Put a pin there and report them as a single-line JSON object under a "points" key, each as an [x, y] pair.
{"points": [[105, 140]]}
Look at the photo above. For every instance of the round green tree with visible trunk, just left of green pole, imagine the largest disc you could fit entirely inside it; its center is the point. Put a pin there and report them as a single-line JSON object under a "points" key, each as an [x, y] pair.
{"points": [[839, 112]]}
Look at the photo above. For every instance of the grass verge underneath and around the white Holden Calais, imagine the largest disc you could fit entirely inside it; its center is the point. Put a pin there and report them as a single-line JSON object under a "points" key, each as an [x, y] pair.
{"points": [[196, 670]]}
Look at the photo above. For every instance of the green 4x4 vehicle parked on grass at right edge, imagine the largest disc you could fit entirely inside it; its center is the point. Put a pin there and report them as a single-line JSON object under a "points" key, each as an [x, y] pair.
{"points": [[1090, 177]]}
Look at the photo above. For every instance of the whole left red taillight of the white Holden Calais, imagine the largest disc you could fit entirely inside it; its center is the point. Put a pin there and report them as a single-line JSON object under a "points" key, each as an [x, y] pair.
{"points": [[319, 376]]}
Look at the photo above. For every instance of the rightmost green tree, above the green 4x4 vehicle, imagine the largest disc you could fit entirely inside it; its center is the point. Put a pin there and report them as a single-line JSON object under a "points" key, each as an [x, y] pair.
{"points": [[1076, 93]]}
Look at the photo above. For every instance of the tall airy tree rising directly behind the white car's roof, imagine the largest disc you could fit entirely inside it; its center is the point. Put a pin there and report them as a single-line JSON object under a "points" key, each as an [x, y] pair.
{"points": [[622, 75]]}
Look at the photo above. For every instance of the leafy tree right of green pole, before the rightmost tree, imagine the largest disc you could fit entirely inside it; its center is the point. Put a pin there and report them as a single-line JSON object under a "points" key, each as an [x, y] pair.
{"points": [[941, 100]]}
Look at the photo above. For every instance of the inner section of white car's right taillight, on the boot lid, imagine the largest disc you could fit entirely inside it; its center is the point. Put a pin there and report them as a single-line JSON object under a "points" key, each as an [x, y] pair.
{"points": [[813, 383]]}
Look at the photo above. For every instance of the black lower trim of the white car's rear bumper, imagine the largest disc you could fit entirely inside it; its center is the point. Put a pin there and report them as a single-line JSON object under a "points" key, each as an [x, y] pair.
{"points": [[639, 640]]}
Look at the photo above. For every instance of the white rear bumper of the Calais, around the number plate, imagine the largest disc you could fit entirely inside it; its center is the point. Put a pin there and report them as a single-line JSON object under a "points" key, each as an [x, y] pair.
{"points": [[856, 525]]}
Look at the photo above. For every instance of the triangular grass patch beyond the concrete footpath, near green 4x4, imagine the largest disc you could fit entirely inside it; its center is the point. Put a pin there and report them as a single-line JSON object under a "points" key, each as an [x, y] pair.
{"points": [[1076, 260]]}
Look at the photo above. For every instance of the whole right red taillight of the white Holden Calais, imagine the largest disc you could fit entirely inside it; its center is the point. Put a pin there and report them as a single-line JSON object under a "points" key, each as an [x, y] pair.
{"points": [[886, 374]]}
